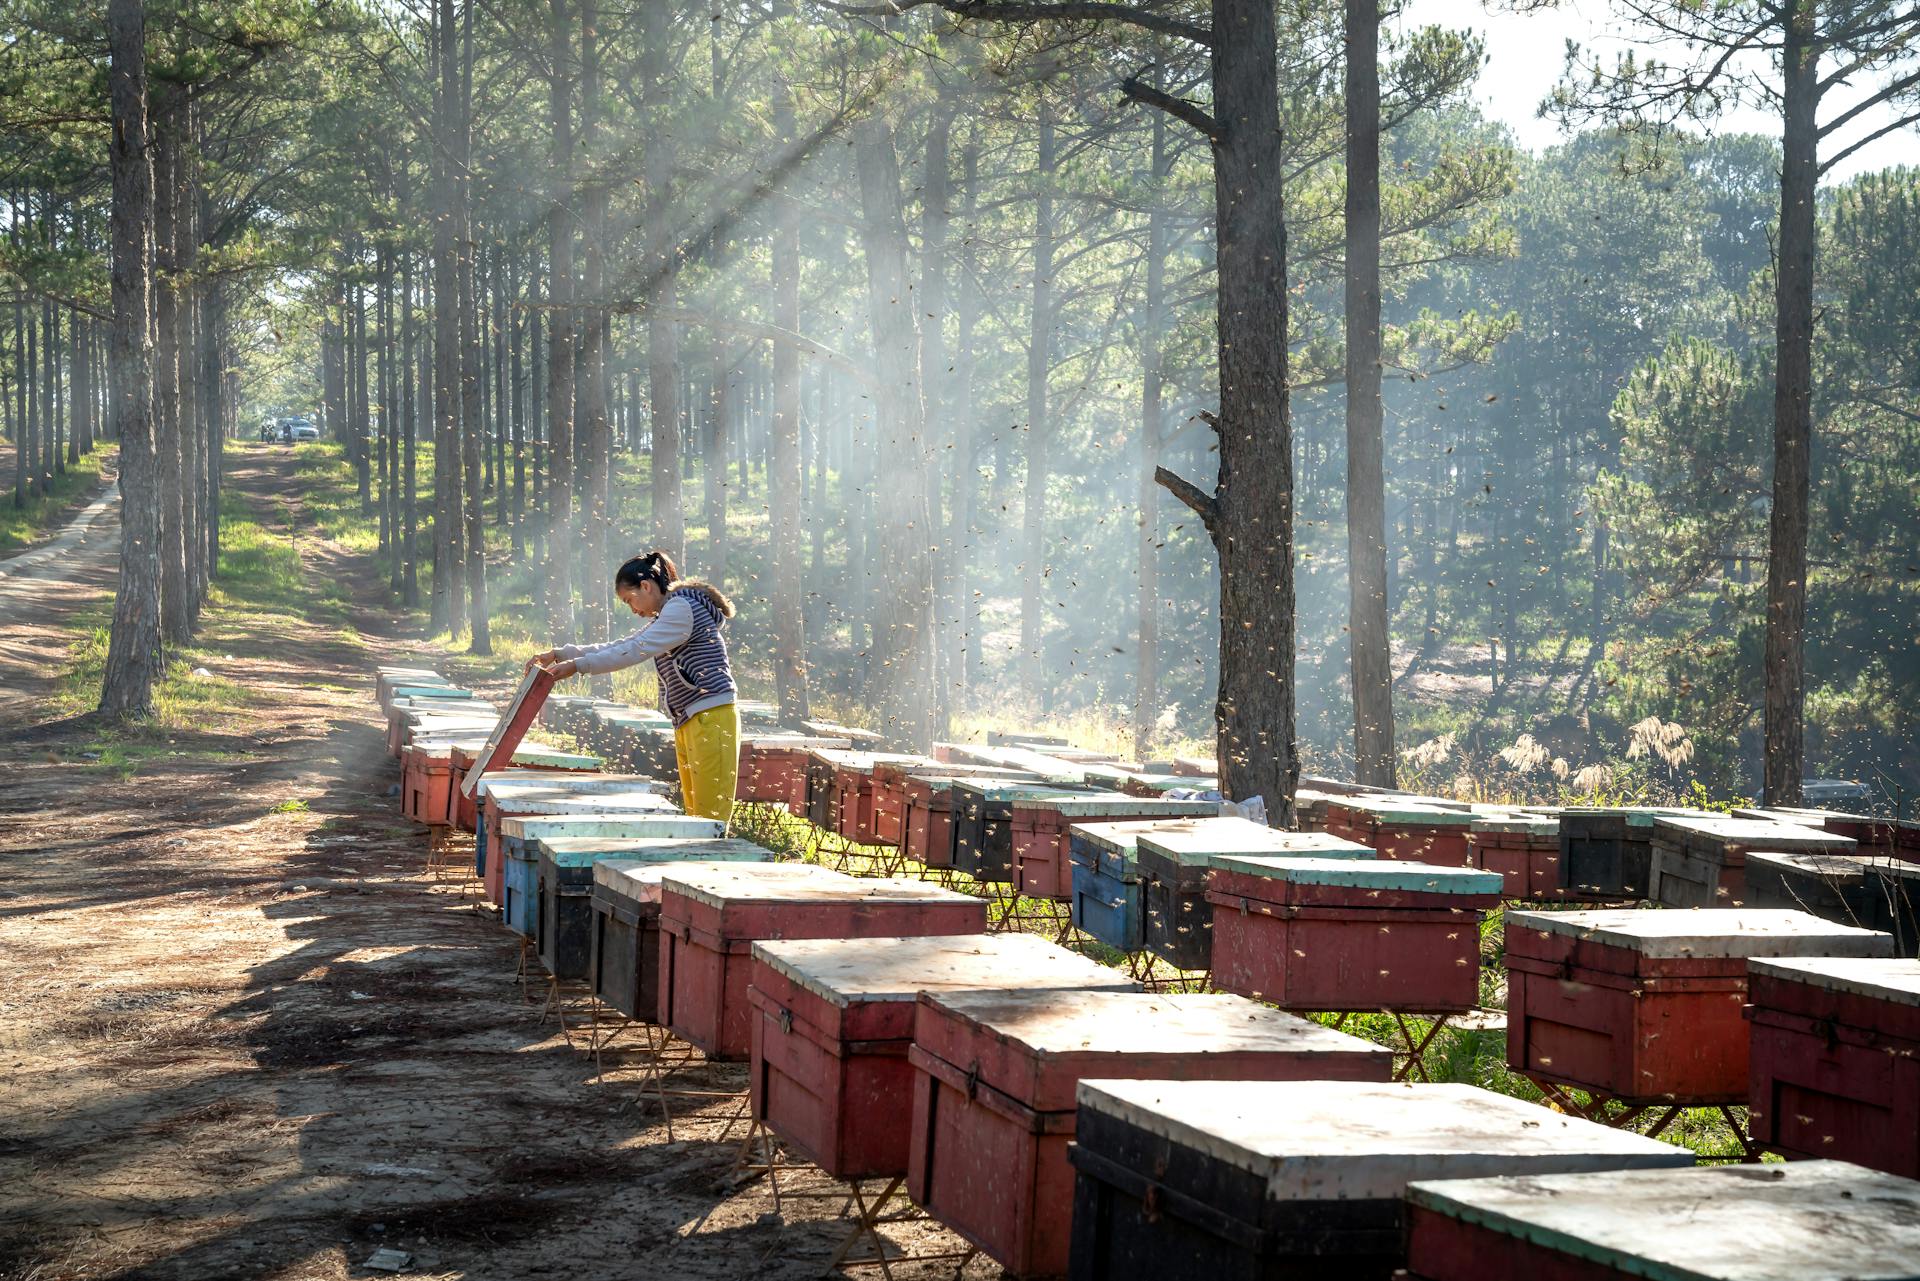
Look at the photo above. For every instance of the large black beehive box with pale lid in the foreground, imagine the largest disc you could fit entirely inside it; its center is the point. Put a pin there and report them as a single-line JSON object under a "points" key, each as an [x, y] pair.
{"points": [[1299, 1178]]}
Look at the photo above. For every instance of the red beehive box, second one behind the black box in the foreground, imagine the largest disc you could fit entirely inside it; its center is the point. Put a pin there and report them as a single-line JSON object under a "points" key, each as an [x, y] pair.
{"points": [[836, 1017]]}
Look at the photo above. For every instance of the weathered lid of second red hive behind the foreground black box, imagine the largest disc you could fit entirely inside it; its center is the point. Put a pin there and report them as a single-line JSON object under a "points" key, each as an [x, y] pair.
{"points": [[861, 971]]}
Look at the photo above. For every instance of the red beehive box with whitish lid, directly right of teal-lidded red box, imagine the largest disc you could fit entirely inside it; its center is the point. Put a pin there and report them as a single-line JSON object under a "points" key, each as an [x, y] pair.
{"points": [[1648, 1005]]}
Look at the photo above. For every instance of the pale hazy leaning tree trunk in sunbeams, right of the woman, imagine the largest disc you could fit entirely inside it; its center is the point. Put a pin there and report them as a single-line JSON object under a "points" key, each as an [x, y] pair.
{"points": [[905, 606]]}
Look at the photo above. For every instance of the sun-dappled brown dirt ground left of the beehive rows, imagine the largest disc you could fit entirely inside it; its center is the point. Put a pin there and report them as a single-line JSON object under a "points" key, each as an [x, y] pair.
{"points": [[247, 1036]]}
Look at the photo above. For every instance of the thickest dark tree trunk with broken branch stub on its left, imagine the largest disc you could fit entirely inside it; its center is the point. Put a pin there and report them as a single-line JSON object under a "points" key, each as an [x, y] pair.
{"points": [[1251, 512]]}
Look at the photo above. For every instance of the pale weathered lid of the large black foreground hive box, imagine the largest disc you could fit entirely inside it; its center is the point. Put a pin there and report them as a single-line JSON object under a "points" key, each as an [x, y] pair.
{"points": [[1366, 1140]]}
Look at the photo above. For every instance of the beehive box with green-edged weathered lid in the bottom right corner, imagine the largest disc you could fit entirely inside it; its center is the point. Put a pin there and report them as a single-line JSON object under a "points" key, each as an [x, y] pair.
{"points": [[1819, 1221]]}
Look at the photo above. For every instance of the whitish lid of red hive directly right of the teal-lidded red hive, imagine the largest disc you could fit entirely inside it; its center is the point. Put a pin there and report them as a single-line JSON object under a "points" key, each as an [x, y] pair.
{"points": [[1721, 932]]}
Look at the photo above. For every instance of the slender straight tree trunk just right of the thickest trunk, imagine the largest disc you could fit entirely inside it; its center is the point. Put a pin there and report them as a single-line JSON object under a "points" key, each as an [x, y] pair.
{"points": [[1366, 481]]}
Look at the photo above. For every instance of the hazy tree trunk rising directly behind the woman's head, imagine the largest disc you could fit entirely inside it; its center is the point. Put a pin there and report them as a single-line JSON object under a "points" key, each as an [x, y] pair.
{"points": [[663, 341]]}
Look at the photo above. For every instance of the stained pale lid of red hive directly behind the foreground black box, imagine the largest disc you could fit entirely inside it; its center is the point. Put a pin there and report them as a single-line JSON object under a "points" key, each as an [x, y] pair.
{"points": [[1124, 1023]]}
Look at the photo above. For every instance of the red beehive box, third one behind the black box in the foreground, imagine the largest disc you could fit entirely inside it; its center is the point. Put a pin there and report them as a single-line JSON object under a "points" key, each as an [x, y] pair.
{"points": [[711, 921]]}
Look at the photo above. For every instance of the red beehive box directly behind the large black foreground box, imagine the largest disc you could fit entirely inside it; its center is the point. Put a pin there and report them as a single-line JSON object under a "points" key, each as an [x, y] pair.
{"points": [[996, 1080]]}
